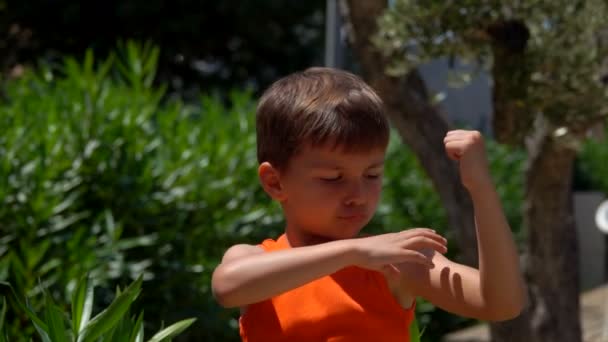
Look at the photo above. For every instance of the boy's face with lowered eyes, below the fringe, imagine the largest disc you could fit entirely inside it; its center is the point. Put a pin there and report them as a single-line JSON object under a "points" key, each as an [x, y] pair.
{"points": [[331, 194]]}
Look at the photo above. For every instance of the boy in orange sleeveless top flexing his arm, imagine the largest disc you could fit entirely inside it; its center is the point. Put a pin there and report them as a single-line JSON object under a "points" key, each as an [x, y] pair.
{"points": [[322, 136]]}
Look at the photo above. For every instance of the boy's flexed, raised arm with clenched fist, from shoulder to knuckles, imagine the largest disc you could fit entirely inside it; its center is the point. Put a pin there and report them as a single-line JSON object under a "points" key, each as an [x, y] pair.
{"points": [[494, 292]]}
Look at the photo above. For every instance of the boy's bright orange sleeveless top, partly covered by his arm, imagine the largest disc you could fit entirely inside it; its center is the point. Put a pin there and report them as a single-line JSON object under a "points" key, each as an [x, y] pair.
{"points": [[353, 304]]}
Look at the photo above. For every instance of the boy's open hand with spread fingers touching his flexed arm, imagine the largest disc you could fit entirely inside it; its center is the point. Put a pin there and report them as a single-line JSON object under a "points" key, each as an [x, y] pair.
{"points": [[378, 251]]}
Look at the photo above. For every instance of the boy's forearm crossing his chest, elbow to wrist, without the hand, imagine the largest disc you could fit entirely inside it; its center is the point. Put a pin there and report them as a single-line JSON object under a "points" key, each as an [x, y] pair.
{"points": [[265, 275]]}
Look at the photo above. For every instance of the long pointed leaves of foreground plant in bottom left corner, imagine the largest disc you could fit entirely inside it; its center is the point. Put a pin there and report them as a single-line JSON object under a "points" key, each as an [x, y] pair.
{"points": [[112, 324]]}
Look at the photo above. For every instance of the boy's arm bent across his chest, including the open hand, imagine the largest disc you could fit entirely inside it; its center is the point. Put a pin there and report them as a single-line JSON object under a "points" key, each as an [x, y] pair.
{"points": [[248, 275]]}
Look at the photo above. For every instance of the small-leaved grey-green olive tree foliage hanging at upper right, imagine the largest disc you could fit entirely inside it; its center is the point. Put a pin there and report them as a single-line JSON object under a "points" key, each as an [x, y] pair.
{"points": [[559, 49]]}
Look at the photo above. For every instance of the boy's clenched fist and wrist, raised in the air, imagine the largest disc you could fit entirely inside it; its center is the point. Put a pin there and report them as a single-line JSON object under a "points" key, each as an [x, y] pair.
{"points": [[467, 147]]}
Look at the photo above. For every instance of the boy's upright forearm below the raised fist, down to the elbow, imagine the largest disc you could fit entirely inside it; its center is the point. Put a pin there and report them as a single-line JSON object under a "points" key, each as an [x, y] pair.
{"points": [[502, 284]]}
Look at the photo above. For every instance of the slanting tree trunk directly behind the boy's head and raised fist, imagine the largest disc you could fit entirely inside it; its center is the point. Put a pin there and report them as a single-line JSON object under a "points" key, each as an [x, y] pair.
{"points": [[418, 123]]}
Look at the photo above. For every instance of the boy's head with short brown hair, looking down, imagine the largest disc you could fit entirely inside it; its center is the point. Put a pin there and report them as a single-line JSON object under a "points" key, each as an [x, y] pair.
{"points": [[322, 136]]}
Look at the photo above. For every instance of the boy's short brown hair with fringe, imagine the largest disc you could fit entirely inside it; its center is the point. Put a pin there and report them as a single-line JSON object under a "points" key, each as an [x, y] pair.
{"points": [[318, 106]]}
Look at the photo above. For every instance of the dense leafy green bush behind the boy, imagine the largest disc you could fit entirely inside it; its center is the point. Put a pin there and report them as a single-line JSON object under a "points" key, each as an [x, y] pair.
{"points": [[102, 173]]}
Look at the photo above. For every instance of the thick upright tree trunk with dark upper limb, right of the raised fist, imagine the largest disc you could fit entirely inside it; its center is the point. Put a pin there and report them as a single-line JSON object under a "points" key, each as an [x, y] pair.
{"points": [[551, 258]]}
